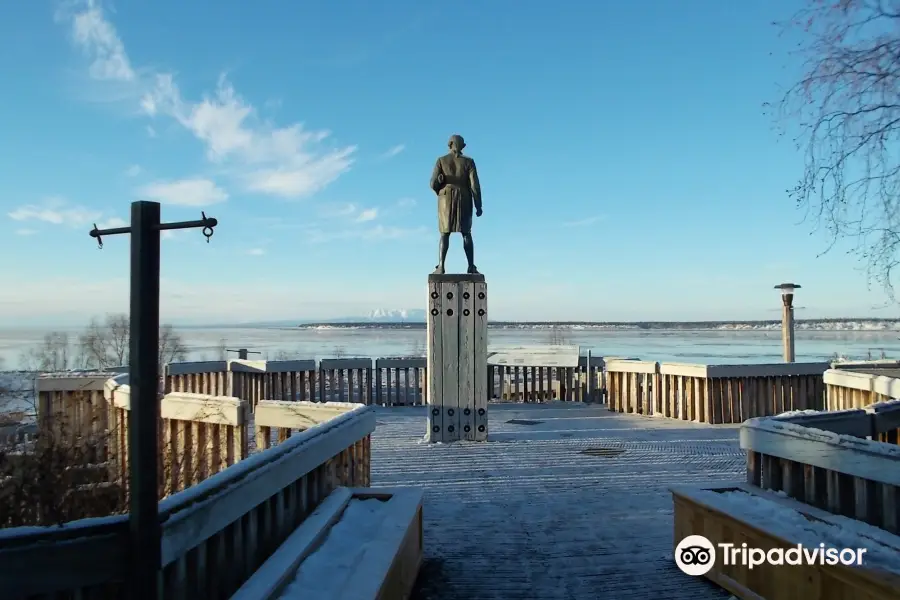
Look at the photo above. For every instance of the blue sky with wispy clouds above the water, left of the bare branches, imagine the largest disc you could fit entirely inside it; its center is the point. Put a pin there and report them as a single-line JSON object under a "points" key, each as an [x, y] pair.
{"points": [[627, 167]]}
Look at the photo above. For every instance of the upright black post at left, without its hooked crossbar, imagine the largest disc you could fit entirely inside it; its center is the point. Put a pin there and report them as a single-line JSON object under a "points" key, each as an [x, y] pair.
{"points": [[144, 415]]}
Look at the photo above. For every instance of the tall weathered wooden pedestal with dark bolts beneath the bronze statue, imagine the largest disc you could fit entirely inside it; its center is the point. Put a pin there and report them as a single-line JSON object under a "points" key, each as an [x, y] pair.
{"points": [[457, 358]]}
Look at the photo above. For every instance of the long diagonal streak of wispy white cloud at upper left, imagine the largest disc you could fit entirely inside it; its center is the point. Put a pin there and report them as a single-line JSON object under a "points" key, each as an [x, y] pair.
{"points": [[287, 162]]}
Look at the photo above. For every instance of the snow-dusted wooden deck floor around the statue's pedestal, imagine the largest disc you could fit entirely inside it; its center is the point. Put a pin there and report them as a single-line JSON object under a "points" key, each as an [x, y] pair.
{"points": [[527, 515]]}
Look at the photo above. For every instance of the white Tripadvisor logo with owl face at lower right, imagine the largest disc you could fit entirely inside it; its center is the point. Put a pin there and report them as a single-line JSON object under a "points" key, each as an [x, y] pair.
{"points": [[695, 555]]}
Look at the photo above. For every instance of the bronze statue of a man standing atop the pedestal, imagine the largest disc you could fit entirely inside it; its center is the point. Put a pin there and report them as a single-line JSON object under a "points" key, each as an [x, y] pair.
{"points": [[455, 181]]}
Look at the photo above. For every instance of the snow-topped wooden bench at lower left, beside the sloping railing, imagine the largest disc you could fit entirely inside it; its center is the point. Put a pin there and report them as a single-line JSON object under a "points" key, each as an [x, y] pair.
{"points": [[359, 544]]}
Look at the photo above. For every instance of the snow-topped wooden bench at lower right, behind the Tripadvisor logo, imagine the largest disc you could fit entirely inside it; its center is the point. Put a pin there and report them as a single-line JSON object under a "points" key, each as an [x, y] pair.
{"points": [[698, 512]]}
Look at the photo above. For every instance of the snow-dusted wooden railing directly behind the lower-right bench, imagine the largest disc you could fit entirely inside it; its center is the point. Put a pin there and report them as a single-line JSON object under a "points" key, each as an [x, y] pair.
{"points": [[845, 462]]}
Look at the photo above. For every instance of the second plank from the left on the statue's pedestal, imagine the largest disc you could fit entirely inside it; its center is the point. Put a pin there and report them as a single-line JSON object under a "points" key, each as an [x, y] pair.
{"points": [[450, 298]]}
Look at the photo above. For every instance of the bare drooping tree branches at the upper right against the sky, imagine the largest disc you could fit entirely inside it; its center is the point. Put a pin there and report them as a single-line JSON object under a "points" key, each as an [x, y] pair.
{"points": [[846, 104]]}
